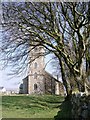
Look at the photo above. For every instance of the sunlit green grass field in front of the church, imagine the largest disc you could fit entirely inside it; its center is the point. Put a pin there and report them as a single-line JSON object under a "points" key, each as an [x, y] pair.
{"points": [[43, 106]]}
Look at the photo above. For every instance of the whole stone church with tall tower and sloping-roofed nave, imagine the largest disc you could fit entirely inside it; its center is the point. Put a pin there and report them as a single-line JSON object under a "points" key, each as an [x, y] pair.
{"points": [[38, 80]]}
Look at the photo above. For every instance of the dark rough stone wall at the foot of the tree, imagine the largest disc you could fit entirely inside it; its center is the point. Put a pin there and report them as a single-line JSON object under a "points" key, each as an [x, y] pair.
{"points": [[80, 106]]}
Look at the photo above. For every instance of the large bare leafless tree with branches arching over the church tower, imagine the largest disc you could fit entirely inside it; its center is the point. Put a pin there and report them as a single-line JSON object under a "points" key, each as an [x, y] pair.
{"points": [[61, 28]]}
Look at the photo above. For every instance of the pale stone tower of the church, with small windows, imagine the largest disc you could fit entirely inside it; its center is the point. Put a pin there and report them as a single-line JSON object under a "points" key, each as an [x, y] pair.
{"points": [[36, 78]]}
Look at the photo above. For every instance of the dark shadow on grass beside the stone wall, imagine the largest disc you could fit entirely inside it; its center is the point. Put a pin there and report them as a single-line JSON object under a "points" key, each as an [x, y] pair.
{"points": [[65, 111]]}
